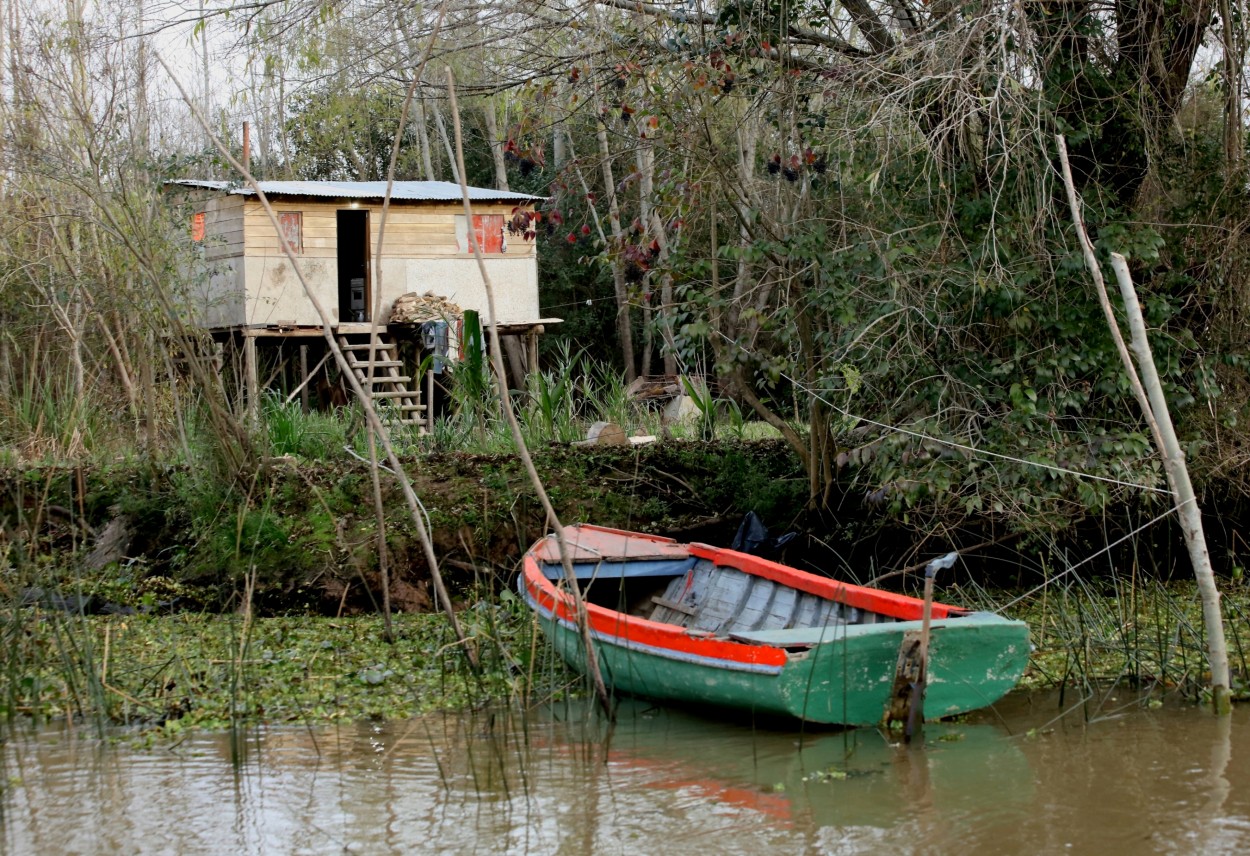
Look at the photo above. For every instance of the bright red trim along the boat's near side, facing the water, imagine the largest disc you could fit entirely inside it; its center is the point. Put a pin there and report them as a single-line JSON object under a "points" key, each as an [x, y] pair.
{"points": [[648, 637]]}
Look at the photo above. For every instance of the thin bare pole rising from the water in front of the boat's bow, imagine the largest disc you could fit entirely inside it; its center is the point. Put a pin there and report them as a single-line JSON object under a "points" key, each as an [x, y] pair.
{"points": [[507, 407]]}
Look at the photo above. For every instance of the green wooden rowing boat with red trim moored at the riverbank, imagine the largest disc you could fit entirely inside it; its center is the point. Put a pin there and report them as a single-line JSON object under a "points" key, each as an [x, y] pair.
{"points": [[703, 625]]}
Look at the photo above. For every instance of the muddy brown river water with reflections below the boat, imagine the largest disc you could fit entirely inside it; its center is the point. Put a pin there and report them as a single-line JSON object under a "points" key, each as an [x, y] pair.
{"points": [[1107, 777]]}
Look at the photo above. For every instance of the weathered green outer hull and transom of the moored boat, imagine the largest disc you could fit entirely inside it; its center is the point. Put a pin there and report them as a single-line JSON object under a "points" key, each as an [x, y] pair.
{"points": [[844, 678]]}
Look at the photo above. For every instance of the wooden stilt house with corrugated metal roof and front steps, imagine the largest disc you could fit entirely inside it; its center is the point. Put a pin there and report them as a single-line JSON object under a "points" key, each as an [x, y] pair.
{"points": [[249, 296]]}
